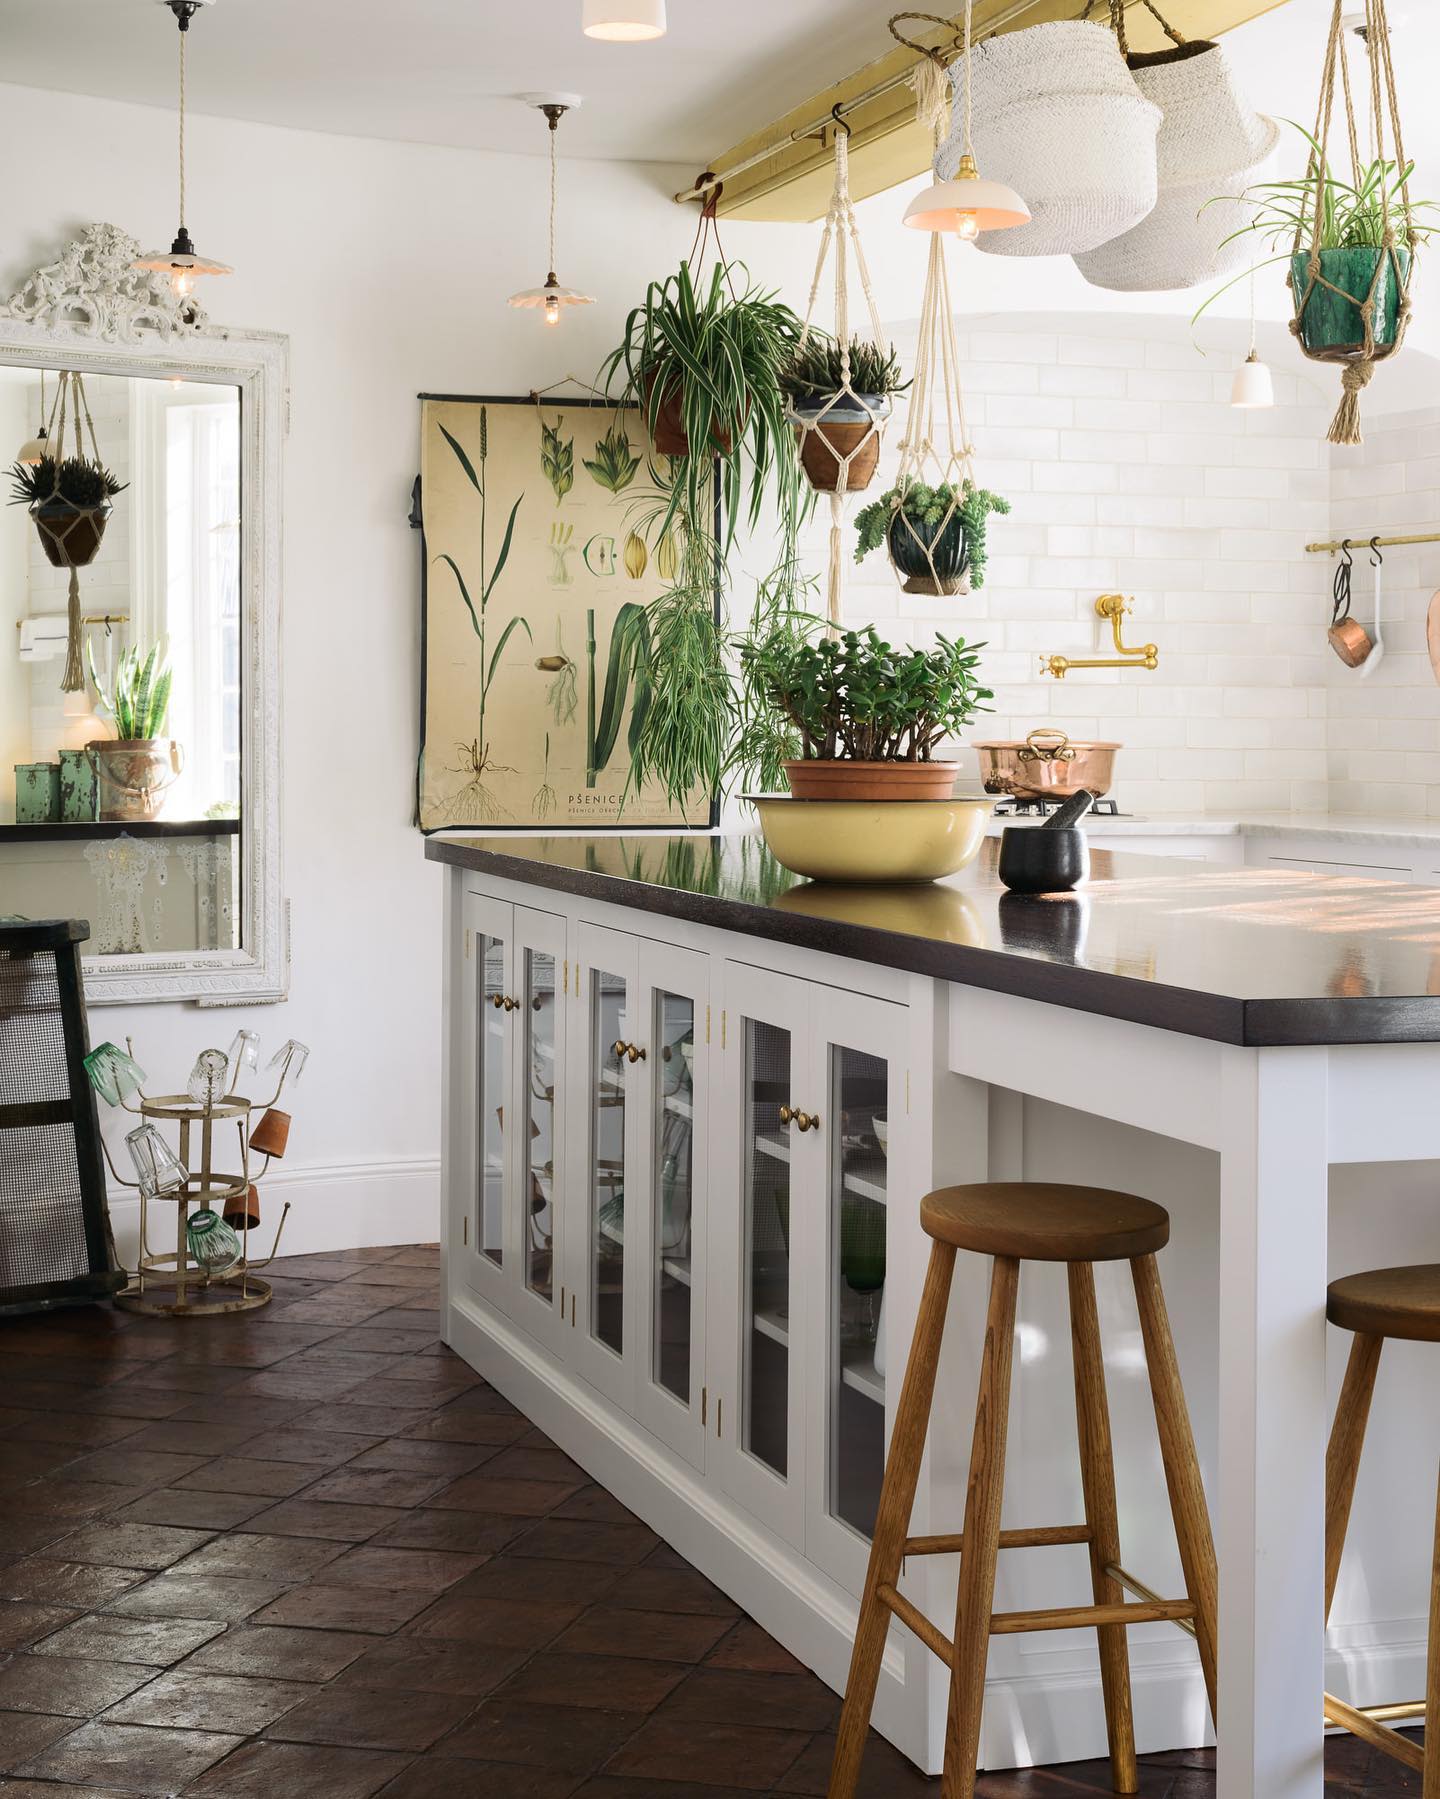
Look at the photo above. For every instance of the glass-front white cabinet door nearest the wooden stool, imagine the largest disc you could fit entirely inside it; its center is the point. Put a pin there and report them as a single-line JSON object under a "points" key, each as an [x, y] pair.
{"points": [[859, 1086]]}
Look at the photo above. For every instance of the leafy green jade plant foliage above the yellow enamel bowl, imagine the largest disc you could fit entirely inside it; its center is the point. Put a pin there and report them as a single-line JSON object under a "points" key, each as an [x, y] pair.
{"points": [[858, 699]]}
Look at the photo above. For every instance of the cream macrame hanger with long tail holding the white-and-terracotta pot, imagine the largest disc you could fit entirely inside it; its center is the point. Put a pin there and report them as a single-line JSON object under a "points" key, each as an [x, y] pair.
{"points": [[841, 447]]}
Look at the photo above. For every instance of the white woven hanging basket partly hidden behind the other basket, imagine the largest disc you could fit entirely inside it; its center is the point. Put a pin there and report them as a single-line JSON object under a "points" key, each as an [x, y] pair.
{"points": [[1209, 148]]}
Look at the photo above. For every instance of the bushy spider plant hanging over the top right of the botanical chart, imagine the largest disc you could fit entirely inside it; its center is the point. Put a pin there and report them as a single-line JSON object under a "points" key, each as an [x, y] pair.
{"points": [[710, 357]]}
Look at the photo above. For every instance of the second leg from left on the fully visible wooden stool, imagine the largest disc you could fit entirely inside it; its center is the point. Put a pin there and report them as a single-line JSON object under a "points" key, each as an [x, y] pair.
{"points": [[976, 1597]]}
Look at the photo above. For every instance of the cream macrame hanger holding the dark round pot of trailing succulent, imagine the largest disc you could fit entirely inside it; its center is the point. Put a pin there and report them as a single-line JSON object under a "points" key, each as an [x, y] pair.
{"points": [[937, 440]]}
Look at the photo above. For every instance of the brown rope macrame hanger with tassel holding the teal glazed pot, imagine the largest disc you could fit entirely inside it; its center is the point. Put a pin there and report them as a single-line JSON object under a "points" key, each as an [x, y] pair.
{"points": [[1360, 361]]}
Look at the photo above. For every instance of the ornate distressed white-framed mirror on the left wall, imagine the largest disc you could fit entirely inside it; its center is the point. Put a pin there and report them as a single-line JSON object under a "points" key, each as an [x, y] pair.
{"points": [[141, 792]]}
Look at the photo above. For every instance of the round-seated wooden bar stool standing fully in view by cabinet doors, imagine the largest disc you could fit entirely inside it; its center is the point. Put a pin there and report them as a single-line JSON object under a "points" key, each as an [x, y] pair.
{"points": [[1020, 1222]]}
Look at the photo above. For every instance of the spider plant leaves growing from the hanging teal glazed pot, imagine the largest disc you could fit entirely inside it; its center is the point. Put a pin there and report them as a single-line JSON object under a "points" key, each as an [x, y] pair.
{"points": [[1353, 213]]}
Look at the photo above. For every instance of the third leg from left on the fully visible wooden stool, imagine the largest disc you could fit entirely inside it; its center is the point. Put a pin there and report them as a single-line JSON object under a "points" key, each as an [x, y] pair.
{"points": [[1097, 1480]]}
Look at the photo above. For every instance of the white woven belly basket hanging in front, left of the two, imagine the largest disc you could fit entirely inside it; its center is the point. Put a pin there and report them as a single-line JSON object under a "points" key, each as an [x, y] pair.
{"points": [[1061, 120]]}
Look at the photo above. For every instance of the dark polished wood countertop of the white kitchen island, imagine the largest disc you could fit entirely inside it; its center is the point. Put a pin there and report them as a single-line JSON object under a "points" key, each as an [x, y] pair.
{"points": [[1239, 956]]}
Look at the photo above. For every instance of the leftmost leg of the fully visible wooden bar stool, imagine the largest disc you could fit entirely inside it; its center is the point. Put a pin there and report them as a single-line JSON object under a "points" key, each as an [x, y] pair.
{"points": [[892, 1521]]}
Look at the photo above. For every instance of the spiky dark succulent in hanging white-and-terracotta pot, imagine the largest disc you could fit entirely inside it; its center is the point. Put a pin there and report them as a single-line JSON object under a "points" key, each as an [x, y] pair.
{"points": [[840, 400]]}
